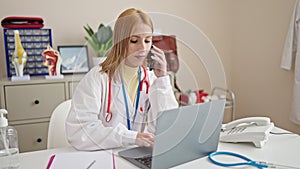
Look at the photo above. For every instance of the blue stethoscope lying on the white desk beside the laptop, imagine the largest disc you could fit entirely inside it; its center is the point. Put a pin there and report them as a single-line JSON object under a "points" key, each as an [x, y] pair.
{"points": [[247, 161]]}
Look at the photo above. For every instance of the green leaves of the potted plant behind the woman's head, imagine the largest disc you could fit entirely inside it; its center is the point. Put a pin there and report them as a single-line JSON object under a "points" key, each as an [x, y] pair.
{"points": [[101, 40]]}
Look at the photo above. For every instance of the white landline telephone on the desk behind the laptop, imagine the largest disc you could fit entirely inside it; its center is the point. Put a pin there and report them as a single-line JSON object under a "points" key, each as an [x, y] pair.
{"points": [[250, 129]]}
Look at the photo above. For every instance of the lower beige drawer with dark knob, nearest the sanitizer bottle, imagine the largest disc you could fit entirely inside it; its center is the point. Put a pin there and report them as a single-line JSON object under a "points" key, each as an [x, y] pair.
{"points": [[32, 137]]}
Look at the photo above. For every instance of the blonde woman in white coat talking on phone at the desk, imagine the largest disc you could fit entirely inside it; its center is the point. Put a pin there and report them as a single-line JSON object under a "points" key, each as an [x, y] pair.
{"points": [[117, 102]]}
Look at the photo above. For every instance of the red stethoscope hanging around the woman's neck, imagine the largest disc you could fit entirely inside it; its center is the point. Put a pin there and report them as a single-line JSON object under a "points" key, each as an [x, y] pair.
{"points": [[108, 116]]}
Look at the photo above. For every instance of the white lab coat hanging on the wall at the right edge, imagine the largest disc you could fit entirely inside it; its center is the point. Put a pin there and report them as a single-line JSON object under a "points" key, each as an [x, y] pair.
{"points": [[292, 50]]}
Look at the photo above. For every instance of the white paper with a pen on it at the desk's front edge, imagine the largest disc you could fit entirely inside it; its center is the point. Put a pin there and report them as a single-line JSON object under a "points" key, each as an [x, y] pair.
{"points": [[82, 160]]}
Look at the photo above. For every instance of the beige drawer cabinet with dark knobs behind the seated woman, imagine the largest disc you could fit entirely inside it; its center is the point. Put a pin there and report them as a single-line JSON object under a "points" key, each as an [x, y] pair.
{"points": [[30, 104]]}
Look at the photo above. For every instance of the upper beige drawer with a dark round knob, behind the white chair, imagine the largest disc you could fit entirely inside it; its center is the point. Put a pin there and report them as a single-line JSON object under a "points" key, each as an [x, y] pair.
{"points": [[33, 101]]}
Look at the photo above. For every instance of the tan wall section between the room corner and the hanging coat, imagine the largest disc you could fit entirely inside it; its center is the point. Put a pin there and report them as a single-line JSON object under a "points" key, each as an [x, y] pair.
{"points": [[261, 86]]}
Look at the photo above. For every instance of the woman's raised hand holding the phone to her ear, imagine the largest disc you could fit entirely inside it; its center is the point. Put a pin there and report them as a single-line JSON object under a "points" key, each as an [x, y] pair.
{"points": [[160, 65]]}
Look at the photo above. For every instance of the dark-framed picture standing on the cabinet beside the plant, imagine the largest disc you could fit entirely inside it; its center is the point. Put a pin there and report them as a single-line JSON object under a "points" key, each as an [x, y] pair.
{"points": [[74, 59]]}
